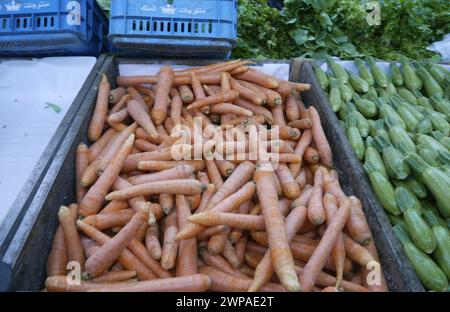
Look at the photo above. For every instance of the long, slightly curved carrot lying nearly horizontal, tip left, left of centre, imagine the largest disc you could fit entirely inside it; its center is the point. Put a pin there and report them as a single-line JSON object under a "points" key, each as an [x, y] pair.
{"points": [[176, 187]]}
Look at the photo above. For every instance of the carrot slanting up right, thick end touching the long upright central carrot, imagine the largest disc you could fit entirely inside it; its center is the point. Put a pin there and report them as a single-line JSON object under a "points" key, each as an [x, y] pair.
{"points": [[241, 175]]}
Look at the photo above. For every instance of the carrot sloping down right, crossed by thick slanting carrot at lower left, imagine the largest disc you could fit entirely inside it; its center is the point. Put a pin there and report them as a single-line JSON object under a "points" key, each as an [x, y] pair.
{"points": [[126, 258]]}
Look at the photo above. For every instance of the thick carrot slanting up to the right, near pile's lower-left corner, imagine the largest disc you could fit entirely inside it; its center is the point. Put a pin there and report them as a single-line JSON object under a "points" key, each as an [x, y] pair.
{"points": [[108, 253]]}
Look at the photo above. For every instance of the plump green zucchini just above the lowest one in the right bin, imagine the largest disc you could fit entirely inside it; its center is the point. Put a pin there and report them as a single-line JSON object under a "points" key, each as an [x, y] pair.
{"points": [[419, 231]]}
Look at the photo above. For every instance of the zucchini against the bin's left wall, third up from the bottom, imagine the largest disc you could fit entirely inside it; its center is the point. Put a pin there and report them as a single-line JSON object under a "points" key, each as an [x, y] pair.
{"points": [[383, 189]]}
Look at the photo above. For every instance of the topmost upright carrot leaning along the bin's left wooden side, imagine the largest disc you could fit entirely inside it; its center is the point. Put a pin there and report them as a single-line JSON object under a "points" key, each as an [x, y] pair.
{"points": [[100, 111]]}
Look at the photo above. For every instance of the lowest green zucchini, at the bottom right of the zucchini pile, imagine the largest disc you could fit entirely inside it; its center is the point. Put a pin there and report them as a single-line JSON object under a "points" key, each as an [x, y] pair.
{"points": [[427, 270]]}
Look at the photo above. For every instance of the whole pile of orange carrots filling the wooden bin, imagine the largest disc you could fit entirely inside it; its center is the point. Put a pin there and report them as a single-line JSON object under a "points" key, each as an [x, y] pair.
{"points": [[144, 221]]}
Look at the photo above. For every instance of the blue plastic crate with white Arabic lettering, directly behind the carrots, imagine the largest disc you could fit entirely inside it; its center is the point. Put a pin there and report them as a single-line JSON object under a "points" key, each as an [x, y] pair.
{"points": [[177, 28]]}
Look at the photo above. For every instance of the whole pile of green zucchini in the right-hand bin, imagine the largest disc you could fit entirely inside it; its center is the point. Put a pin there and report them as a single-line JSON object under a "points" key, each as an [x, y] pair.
{"points": [[398, 126]]}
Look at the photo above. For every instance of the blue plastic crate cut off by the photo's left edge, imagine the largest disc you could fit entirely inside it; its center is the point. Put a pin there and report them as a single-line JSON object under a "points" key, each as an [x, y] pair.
{"points": [[52, 27]]}
